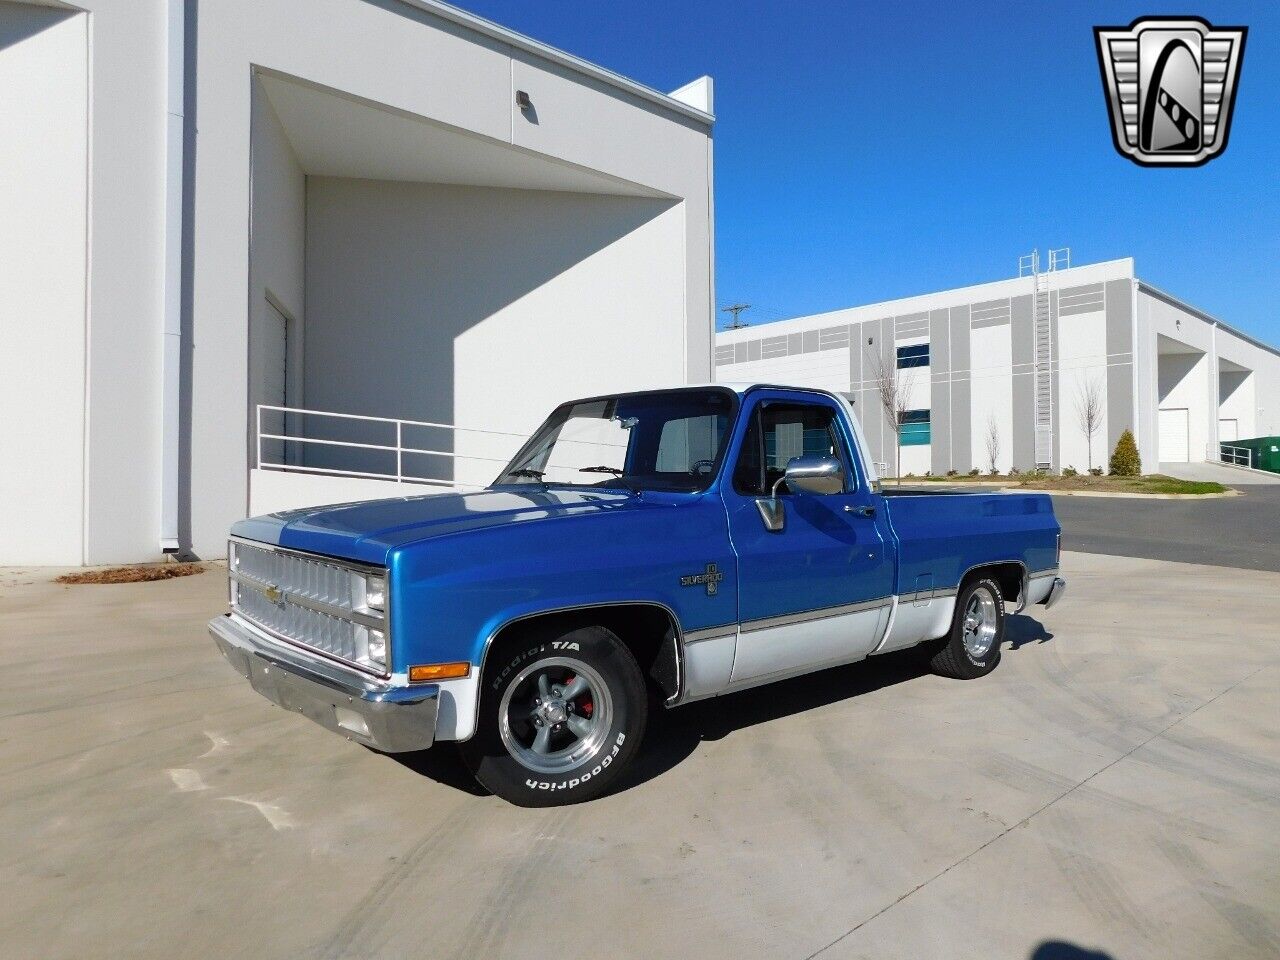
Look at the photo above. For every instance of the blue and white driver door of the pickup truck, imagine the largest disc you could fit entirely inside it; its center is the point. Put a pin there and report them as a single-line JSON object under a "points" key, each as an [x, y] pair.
{"points": [[816, 593]]}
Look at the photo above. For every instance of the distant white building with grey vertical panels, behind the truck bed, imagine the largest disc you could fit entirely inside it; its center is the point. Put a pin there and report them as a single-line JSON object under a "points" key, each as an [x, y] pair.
{"points": [[1014, 359]]}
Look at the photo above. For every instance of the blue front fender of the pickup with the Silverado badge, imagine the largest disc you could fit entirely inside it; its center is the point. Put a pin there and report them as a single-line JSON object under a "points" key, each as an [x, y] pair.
{"points": [[454, 595]]}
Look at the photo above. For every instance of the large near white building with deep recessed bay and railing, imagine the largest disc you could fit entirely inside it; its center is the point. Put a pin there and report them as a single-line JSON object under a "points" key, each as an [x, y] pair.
{"points": [[381, 208]]}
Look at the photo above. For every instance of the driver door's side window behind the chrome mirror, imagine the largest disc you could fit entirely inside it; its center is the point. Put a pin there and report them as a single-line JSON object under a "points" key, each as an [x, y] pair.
{"points": [[780, 432]]}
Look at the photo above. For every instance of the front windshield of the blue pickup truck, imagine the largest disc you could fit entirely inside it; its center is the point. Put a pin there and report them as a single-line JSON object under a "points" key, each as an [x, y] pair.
{"points": [[670, 441]]}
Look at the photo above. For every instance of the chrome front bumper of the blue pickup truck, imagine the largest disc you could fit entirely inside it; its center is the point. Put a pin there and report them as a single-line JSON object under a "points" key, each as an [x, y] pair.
{"points": [[388, 719]]}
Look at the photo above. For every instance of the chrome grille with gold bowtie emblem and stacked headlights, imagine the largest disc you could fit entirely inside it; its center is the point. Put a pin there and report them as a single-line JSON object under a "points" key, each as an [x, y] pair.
{"points": [[280, 592]]}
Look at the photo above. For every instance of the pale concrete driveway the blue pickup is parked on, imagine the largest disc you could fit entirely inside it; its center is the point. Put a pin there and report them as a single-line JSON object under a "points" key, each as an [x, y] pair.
{"points": [[1114, 788]]}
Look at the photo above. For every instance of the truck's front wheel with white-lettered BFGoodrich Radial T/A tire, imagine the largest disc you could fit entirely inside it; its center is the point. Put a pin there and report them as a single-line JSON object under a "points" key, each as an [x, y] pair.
{"points": [[561, 717]]}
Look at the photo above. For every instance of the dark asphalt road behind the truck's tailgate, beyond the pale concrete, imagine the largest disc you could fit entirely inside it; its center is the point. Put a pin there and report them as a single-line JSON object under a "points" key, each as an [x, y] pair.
{"points": [[1232, 532]]}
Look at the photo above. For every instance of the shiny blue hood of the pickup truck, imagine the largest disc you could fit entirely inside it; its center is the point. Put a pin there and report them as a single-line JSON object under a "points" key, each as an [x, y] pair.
{"points": [[369, 531]]}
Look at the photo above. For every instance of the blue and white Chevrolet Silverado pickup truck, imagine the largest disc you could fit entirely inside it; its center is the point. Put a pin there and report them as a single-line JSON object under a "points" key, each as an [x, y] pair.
{"points": [[641, 551]]}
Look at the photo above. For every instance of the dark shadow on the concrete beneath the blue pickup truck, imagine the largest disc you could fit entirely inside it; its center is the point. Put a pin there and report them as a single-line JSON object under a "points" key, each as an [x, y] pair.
{"points": [[675, 735]]}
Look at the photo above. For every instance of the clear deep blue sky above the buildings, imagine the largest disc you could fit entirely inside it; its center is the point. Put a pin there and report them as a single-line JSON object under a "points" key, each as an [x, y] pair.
{"points": [[867, 152]]}
